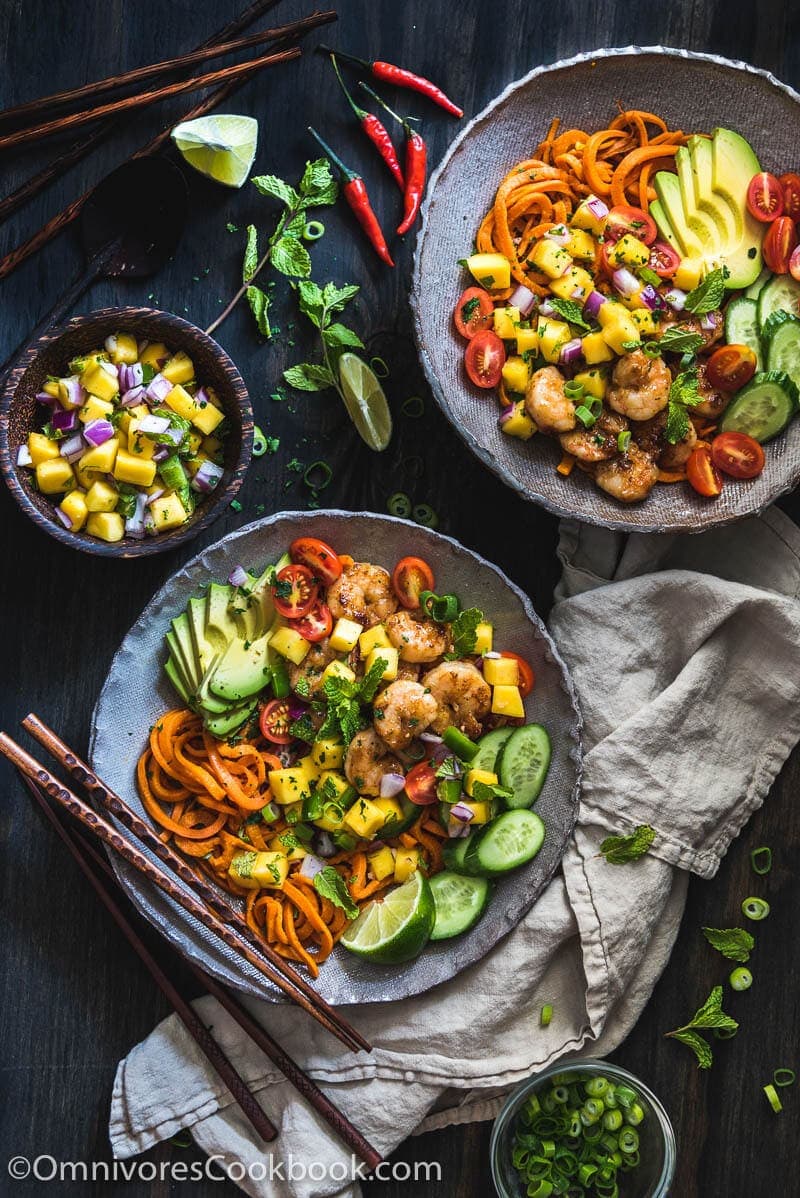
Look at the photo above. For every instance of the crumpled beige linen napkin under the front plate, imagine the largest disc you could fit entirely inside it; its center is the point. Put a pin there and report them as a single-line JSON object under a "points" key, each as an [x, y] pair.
{"points": [[686, 654]]}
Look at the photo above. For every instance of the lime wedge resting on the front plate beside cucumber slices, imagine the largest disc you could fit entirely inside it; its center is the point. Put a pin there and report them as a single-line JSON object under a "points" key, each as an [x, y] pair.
{"points": [[396, 929]]}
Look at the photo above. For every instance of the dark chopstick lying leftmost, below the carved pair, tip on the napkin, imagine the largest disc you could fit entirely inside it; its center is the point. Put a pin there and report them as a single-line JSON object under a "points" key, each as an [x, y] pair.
{"points": [[186, 1013]]}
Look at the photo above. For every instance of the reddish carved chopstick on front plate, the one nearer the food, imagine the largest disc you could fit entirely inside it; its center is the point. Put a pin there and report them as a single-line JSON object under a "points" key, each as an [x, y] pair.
{"points": [[82, 773]]}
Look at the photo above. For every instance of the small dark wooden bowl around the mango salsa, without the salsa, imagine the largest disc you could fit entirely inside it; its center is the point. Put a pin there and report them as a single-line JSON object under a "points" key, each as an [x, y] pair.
{"points": [[21, 415]]}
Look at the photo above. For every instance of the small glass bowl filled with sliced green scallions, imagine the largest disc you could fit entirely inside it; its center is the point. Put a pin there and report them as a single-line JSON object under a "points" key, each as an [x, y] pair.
{"points": [[584, 1130]]}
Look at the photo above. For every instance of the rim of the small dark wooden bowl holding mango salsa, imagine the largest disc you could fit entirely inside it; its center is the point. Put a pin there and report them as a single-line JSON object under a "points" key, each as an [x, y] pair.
{"points": [[209, 512]]}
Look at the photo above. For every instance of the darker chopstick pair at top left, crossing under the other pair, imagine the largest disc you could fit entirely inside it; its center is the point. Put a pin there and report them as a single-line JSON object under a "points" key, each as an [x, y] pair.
{"points": [[32, 187]]}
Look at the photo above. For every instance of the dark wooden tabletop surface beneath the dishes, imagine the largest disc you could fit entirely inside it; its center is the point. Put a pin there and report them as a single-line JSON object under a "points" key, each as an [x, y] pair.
{"points": [[74, 999]]}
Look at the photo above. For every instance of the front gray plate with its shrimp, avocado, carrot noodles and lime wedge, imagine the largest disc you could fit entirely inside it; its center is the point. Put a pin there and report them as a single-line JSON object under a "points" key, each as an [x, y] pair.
{"points": [[357, 730]]}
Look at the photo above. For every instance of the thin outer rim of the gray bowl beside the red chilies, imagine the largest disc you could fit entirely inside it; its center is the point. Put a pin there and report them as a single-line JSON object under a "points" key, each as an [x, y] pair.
{"points": [[563, 511]]}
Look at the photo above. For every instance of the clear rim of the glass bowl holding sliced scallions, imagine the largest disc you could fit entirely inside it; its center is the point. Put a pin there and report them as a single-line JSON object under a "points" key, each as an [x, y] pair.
{"points": [[585, 1066]]}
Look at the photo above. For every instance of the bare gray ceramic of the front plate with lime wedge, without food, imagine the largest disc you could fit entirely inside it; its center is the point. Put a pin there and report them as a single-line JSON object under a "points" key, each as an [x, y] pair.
{"points": [[137, 693]]}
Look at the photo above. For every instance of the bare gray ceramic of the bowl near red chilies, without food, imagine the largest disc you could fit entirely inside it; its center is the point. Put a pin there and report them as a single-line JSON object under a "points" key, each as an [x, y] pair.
{"points": [[692, 92]]}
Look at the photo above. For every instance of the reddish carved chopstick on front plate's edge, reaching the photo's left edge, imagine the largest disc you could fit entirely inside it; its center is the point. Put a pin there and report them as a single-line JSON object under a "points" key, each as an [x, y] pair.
{"points": [[186, 899]]}
